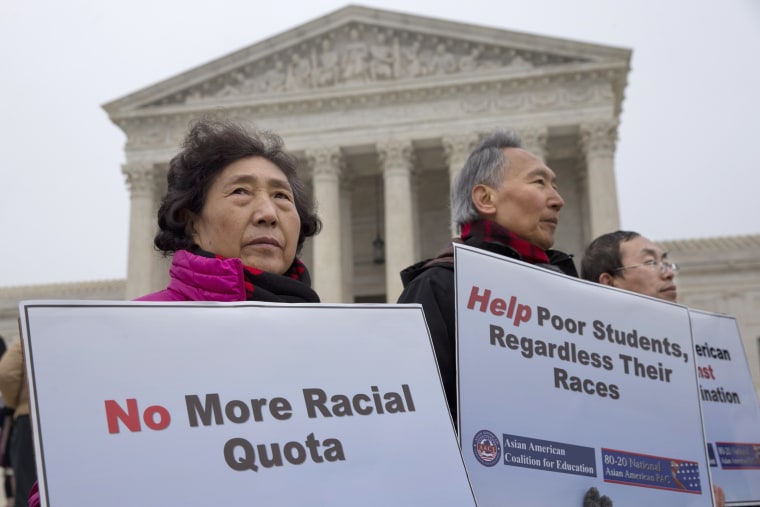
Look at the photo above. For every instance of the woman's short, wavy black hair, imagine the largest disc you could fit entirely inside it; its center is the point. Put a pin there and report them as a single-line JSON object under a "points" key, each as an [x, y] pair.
{"points": [[210, 146]]}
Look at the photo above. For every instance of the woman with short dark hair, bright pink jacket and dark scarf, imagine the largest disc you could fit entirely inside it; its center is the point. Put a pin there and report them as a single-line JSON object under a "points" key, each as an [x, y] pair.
{"points": [[235, 216]]}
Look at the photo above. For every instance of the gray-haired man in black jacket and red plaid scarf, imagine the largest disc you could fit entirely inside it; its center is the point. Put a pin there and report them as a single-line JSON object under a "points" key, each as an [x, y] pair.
{"points": [[504, 200]]}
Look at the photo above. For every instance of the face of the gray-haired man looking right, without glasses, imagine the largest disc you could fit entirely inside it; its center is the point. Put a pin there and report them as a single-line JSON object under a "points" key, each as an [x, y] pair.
{"points": [[527, 203]]}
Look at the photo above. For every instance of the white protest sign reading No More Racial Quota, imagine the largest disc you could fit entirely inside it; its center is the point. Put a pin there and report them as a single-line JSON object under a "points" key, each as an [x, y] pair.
{"points": [[167, 404]]}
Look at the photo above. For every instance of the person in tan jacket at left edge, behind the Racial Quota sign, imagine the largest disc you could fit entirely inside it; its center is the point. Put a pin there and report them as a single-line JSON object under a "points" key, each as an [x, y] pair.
{"points": [[15, 391]]}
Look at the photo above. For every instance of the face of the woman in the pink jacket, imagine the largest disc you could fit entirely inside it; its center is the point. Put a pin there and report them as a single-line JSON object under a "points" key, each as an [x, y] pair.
{"points": [[250, 214]]}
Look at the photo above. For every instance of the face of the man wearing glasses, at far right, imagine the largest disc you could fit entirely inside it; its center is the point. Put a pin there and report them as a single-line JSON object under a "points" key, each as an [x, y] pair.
{"points": [[643, 278]]}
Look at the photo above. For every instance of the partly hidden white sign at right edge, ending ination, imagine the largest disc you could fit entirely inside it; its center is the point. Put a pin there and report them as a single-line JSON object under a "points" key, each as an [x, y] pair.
{"points": [[729, 406]]}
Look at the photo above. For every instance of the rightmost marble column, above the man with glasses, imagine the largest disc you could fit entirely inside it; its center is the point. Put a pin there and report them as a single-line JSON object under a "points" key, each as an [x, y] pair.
{"points": [[598, 143]]}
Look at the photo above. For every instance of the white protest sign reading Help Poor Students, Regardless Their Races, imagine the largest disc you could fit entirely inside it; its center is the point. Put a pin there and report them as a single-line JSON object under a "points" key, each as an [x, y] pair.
{"points": [[565, 385]]}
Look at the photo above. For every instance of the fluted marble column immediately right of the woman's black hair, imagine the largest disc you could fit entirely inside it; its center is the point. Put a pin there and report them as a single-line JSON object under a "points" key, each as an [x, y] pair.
{"points": [[325, 164]]}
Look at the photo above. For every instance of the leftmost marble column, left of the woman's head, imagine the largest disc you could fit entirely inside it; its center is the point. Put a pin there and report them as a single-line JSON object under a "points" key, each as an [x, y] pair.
{"points": [[140, 177]]}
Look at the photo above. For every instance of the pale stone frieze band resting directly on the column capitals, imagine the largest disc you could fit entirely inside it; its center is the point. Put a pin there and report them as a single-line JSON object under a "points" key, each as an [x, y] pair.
{"points": [[365, 119]]}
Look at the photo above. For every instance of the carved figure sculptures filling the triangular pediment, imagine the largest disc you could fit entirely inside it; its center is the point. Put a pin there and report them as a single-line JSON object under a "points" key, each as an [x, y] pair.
{"points": [[360, 54]]}
